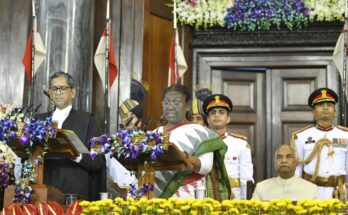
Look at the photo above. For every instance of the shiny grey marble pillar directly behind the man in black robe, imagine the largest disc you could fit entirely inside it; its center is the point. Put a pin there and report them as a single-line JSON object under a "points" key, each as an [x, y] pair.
{"points": [[66, 28]]}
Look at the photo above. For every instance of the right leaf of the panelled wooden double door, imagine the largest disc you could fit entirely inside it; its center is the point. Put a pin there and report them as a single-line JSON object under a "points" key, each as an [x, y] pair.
{"points": [[288, 95]]}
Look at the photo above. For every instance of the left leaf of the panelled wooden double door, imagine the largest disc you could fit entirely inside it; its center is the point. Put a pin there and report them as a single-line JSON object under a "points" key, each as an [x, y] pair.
{"points": [[246, 90]]}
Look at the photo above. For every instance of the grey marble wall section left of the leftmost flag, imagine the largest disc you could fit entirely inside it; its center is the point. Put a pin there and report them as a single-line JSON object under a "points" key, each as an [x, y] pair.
{"points": [[13, 33]]}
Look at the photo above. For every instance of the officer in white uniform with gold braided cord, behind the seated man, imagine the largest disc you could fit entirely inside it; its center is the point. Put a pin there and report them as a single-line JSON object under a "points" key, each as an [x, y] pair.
{"points": [[322, 149]]}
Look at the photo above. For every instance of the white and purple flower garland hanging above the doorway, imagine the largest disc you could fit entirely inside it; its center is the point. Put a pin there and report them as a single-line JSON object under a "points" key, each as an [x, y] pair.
{"points": [[254, 15]]}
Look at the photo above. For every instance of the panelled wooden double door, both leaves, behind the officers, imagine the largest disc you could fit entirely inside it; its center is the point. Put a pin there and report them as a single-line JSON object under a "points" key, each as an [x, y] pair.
{"points": [[269, 104]]}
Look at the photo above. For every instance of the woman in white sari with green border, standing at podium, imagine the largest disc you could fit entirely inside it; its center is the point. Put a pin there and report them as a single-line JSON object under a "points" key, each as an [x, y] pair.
{"points": [[194, 140]]}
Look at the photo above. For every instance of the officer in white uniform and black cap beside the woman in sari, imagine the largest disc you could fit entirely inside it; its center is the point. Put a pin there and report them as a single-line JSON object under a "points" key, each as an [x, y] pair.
{"points": [[237, 161]]}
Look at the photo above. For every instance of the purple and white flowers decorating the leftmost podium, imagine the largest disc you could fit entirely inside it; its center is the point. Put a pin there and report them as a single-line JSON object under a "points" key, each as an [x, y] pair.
{"points": [[30, 132]]}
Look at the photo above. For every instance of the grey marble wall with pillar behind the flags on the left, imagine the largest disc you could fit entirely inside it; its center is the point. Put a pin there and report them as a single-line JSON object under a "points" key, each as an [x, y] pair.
{"points": [[70, 31]]}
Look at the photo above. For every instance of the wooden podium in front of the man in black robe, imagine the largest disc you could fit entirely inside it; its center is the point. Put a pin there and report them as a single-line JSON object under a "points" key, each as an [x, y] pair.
{"points": [[65, 144]]}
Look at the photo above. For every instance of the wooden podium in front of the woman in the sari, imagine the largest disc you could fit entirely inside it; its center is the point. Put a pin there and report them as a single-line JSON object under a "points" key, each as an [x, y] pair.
{"points": [[172, 158]]}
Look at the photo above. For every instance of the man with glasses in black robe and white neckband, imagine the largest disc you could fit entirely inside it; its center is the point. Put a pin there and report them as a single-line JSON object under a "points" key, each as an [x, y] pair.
{"points": [[81, 175]]}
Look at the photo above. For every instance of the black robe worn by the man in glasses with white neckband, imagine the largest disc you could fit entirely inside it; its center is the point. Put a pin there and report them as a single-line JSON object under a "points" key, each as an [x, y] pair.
{"points": [[86, 178]]}
